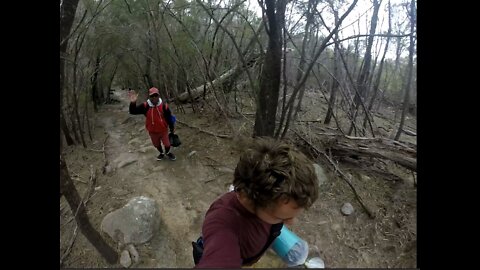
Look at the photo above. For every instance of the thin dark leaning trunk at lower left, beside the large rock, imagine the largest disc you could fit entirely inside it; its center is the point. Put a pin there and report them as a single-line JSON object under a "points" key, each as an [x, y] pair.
{"points": [[67, 188]]}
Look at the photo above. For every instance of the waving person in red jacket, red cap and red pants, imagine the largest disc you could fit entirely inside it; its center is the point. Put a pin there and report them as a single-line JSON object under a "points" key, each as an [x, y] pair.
{"points": [[157, 120]]}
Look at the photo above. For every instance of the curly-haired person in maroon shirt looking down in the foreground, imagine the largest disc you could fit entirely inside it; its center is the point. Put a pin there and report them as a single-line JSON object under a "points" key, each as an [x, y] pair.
{"points": [[273, 183]]}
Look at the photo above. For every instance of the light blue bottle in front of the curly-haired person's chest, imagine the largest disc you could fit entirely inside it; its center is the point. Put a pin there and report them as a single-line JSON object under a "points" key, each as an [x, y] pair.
{"points": [[290, 248]]}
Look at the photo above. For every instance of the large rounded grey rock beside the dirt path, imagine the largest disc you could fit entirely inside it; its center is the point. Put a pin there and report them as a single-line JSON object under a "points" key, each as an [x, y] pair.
{"points": [[134, 223]]}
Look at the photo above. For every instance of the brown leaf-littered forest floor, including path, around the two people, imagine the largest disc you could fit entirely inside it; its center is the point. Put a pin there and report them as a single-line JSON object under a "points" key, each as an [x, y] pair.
{"points": [[185, 188]]}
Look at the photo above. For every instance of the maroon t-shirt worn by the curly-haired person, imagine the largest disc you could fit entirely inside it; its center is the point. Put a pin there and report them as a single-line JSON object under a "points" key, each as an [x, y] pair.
{"points": [[231, 234]]}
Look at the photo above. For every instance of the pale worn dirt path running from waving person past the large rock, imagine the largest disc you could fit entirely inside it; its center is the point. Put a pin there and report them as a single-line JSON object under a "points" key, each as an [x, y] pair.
{"points": [[183, 188]]}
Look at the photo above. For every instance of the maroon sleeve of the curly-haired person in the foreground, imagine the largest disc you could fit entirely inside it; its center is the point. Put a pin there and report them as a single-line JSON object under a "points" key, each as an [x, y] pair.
{"points": [[220, 239]]}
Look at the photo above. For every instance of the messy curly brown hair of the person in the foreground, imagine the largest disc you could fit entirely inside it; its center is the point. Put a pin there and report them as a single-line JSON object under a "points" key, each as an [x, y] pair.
{"points": [[269, 169]]}
